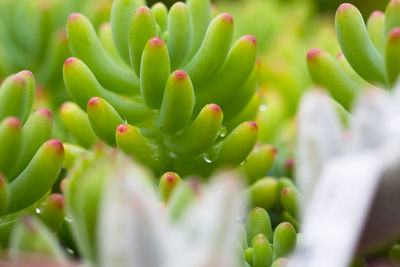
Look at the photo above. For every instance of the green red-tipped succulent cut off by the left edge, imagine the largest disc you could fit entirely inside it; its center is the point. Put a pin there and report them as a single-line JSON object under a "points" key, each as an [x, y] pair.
{"points": [[30, 163]]}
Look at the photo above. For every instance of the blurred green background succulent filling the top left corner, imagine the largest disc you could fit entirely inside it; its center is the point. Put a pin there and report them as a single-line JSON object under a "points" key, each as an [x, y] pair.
{"points": [[32, 36]]}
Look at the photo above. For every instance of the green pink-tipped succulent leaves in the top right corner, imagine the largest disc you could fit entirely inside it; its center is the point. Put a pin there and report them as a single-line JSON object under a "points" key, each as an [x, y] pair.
{"points": [[370, 54]]}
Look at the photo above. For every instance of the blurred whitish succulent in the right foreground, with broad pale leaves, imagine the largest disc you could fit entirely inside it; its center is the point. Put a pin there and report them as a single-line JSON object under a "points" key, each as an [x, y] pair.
{"points": [[366, 153]]}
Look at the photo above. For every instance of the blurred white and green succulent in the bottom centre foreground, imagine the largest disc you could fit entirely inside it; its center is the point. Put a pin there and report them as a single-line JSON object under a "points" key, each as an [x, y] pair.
{"points": [[117, 219]]}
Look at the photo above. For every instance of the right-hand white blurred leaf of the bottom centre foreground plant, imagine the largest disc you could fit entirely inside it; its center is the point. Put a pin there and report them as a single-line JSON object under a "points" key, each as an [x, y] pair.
{"points": [[207, 235]]}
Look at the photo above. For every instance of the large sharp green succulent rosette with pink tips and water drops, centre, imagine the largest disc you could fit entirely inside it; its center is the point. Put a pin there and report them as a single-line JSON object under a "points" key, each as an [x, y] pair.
{"points": [[167, 87]]}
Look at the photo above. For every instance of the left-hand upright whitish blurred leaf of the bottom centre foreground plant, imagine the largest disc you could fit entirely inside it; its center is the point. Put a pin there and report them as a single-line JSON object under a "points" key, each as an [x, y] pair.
{"points": [[131, 223]]}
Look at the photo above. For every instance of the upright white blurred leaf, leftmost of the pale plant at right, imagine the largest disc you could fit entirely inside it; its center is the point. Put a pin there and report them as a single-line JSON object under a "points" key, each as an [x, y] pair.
{"points": [[319, 139]]}
